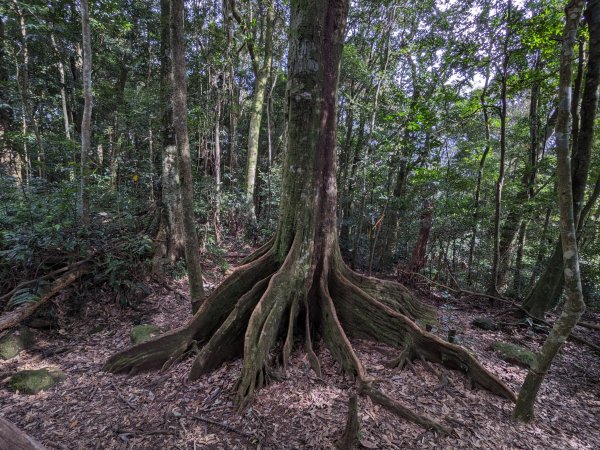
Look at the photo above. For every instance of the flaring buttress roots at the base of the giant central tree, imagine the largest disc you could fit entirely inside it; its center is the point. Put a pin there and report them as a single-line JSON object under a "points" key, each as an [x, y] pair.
{"points": [[264, 305]]}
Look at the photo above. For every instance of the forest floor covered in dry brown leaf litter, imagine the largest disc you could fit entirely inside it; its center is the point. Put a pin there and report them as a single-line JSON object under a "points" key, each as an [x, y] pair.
{"points": [[91, 409]]}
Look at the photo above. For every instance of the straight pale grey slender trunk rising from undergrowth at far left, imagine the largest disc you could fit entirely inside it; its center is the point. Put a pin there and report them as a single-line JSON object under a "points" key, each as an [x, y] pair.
{"points": [[86, 144]]}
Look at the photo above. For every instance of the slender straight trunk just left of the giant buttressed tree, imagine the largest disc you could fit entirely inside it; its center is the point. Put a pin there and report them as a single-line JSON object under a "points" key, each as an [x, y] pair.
{"points": [[190, 238]]}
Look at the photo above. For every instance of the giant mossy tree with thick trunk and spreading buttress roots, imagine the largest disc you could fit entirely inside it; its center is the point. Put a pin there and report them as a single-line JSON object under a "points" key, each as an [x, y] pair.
{"points": [[297, 283]]}
